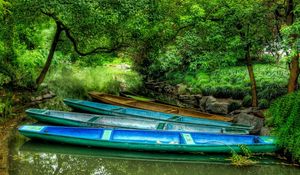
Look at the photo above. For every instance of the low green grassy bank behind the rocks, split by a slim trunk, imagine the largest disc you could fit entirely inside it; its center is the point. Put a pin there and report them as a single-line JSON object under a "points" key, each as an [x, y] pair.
{"points": [[233, 82]]}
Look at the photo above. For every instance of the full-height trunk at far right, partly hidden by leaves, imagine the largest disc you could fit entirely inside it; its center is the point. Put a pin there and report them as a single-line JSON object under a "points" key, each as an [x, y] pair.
{"points": [[294, 65]]}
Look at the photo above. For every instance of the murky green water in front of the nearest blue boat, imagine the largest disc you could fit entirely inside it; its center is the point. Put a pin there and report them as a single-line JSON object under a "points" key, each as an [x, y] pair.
{"points": [[42, 158]]}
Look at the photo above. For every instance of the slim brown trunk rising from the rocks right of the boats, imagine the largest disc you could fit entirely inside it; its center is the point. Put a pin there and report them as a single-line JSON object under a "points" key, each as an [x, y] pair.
{"points": [[251, 76]]}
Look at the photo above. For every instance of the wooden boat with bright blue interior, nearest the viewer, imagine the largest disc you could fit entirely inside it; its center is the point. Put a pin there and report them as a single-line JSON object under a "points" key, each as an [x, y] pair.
{"points": [[149, 140]]}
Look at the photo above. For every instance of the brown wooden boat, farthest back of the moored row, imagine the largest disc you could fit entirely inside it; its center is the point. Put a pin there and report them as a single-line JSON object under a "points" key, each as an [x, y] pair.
{"points": [[134, 103]]}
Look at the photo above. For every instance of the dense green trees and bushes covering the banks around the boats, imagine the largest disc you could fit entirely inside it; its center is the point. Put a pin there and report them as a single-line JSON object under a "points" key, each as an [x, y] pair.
{"points": [[239, 49]]}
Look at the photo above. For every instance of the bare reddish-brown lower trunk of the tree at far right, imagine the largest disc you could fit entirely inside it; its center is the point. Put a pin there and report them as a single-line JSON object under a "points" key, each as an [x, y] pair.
{"points": [[294, 74]]}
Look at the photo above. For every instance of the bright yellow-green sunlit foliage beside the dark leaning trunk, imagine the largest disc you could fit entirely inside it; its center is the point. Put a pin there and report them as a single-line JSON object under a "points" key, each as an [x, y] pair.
{"points": [[76, 81]]}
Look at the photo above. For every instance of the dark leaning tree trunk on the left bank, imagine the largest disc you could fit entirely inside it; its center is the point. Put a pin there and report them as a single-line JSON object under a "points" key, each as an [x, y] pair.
{"points": [[43, 73]]}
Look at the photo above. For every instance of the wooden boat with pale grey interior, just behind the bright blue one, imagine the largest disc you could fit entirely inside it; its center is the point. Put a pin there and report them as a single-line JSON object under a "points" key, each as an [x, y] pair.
{"points": [[129, 122]]}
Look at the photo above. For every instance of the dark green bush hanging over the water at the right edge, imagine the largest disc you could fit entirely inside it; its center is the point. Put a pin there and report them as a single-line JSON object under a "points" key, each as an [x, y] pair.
{"points": [[284, 117]]}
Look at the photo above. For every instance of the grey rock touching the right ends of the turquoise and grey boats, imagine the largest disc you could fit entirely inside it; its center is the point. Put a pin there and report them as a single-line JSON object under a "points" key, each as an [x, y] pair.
{"points": [[250, 119]]}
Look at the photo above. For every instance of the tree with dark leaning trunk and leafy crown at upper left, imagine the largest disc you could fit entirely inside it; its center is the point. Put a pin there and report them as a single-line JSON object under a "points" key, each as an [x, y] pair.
{"points": [[91, 26]]}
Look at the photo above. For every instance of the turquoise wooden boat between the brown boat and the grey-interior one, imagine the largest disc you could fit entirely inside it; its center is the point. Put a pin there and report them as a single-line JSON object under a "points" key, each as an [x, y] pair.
{"points": [[101, 108]]}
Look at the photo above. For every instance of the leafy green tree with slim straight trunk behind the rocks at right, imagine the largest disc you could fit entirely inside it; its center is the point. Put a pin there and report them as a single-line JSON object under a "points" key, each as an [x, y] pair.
{"points": [[246, 28]]}
